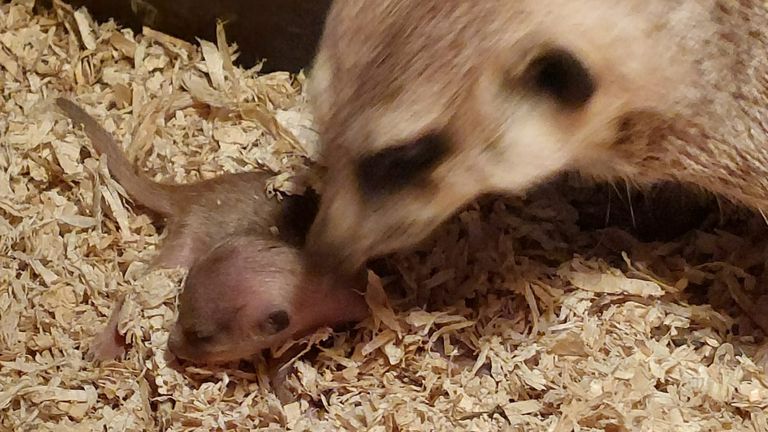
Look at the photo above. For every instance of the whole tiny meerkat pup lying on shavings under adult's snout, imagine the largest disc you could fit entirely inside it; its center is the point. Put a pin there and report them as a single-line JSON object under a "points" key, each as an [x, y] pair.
{"points": [[246, 289]]}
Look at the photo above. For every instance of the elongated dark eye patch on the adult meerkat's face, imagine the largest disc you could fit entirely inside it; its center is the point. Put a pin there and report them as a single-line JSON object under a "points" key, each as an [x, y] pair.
{"points": [[394, 168]]}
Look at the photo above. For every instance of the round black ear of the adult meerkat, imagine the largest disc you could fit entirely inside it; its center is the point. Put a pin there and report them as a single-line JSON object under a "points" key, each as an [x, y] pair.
{"points": [[558, 73]]}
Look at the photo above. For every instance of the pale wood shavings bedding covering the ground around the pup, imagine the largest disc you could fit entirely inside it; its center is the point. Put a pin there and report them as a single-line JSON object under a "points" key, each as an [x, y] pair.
{"points": [[511, 318]]}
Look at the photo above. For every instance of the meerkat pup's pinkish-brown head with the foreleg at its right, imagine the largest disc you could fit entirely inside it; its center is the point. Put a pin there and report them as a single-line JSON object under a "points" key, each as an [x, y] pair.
{"points": [[249, 294]]}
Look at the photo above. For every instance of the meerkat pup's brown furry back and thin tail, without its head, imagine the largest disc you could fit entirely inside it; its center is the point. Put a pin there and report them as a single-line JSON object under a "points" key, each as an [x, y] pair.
{"points": [[200, 215]]}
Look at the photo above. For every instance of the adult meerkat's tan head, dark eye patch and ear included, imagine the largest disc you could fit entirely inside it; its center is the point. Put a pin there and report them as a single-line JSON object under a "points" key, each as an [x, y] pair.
{"points": [[424, 105]]}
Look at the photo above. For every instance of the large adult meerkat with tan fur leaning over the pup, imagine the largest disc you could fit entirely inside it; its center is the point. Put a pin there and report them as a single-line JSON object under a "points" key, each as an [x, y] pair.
{"points": [[424, 105]]}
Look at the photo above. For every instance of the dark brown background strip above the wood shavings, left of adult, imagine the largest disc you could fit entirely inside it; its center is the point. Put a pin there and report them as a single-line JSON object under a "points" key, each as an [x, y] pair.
{"points": [[284, 32]]}
